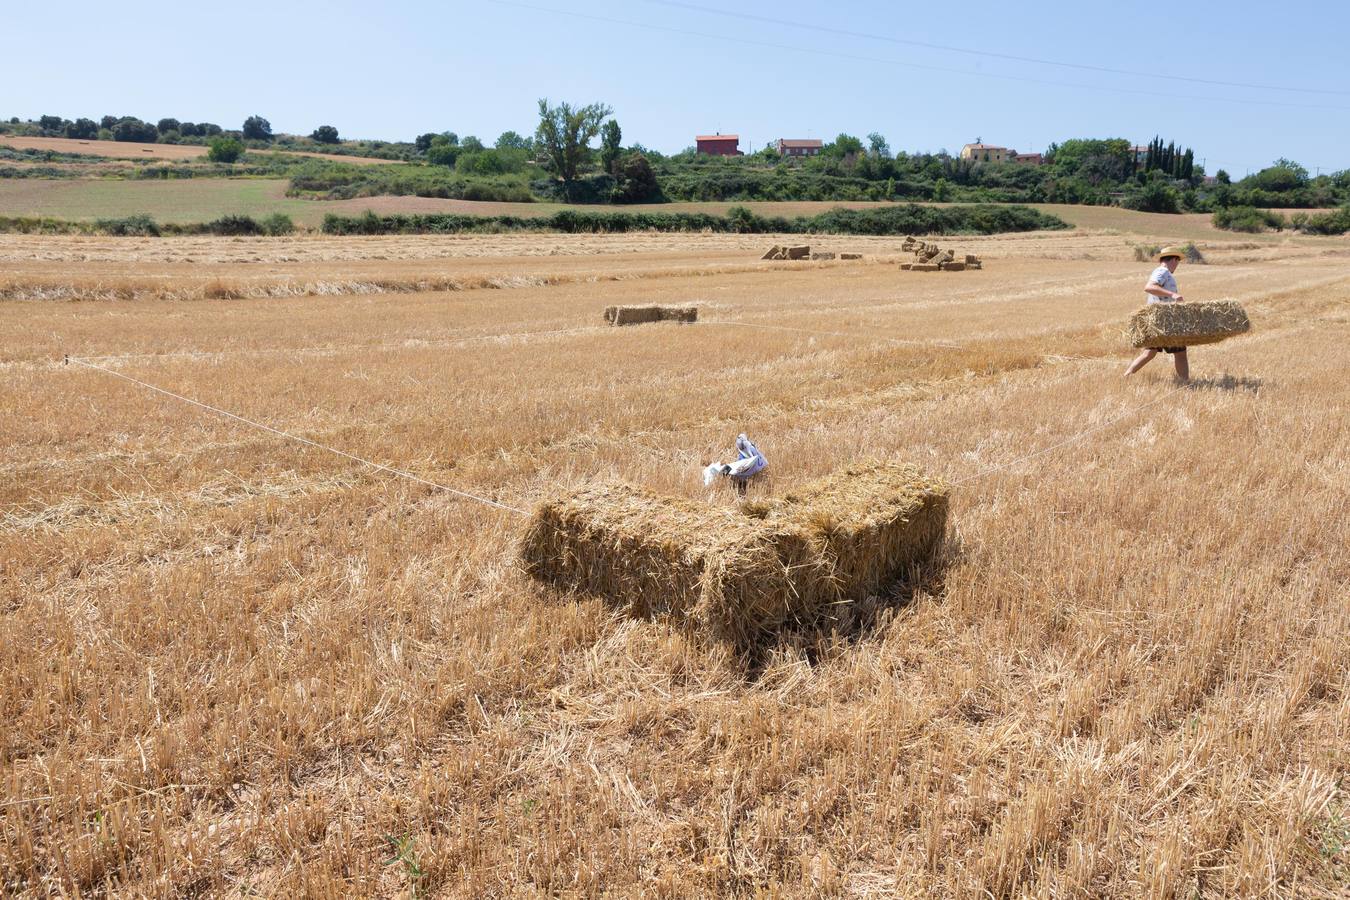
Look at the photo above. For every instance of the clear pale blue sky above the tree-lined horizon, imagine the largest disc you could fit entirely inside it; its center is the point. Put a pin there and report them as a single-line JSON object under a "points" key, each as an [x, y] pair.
{"points": [[1240, 83]]}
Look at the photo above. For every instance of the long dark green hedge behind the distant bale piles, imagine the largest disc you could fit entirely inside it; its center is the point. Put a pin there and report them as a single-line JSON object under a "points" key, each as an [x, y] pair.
{"points": [[893, 221]]}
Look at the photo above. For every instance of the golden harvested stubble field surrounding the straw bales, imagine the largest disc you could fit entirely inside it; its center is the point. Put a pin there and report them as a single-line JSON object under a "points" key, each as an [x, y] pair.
{"points": [[233, 663]]}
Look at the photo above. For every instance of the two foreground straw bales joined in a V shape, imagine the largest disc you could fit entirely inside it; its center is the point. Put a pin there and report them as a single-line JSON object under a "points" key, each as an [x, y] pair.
{"points": [[731, 575]]}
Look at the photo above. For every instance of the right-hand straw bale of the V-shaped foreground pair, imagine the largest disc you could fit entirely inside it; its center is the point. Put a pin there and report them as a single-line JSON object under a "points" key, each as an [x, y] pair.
{"points": [[870, 522]]}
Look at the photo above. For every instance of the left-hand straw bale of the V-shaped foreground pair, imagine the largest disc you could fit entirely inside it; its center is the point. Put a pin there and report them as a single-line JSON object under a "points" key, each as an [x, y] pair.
{"points": [[708, 569]]}
